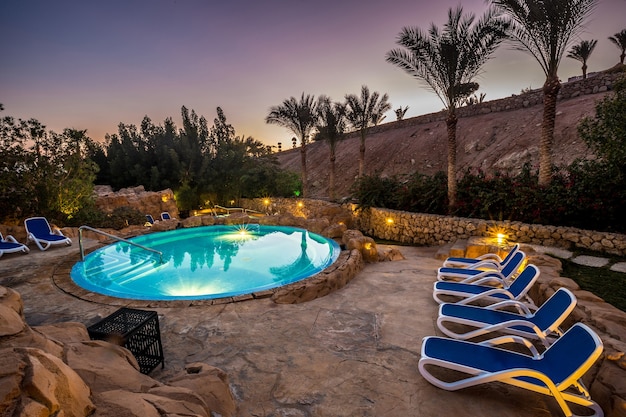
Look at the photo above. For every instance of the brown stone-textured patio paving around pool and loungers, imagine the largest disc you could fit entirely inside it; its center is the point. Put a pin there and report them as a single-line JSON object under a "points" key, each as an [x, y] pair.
{"points": [[351, 353]]}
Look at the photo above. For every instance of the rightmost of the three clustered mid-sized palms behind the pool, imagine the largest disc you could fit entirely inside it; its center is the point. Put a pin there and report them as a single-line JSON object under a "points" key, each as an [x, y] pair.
{"points": [[362, 113]]}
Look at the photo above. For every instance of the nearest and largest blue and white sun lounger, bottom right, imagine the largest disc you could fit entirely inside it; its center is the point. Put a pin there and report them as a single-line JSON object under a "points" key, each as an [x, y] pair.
{"points": [[556, 372]]}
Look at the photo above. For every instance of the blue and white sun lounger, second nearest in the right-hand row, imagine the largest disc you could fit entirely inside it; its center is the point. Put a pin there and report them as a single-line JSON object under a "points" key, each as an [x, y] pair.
{"points": [[542, 324]]}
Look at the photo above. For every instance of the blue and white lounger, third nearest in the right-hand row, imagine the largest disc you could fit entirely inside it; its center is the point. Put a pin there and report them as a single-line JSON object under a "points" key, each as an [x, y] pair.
{"points": [[470, 293]]}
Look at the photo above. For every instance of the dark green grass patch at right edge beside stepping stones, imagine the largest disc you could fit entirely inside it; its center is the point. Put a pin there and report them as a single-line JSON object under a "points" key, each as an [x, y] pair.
{"points": [[607, 284]]}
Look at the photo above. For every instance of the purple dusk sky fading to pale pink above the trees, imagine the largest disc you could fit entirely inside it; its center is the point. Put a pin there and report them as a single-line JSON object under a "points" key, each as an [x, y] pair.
{"points": [[93, 64]]}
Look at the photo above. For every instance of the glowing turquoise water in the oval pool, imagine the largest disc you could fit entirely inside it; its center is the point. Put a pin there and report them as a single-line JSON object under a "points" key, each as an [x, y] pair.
{"points": [[205, 262]]}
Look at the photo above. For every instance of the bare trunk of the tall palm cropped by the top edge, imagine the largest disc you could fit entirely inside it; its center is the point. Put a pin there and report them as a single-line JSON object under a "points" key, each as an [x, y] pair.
{"points": [[550, 92]]}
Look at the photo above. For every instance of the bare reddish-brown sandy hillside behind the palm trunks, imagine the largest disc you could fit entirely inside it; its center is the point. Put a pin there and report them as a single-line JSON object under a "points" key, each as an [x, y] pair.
{"points": [[505, 140]]}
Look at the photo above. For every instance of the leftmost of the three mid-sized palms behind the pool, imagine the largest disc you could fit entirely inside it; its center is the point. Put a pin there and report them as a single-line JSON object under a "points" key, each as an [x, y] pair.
{"points": [[300, 118]]}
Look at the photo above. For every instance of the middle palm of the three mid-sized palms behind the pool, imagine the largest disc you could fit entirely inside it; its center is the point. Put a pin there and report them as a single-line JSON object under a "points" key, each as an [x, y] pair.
{"points": [[331, 127]]}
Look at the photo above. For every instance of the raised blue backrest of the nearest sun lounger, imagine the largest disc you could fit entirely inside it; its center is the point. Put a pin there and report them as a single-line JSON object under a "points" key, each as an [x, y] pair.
{"points": [[570, 356]]}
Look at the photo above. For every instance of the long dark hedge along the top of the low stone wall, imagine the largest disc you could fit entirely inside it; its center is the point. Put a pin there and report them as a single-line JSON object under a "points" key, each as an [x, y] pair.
{"points": [[587, 195]]}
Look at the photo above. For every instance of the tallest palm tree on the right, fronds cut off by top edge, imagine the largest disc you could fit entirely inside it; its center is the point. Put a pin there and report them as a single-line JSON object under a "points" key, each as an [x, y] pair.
{"points": [[544, 28]]}
